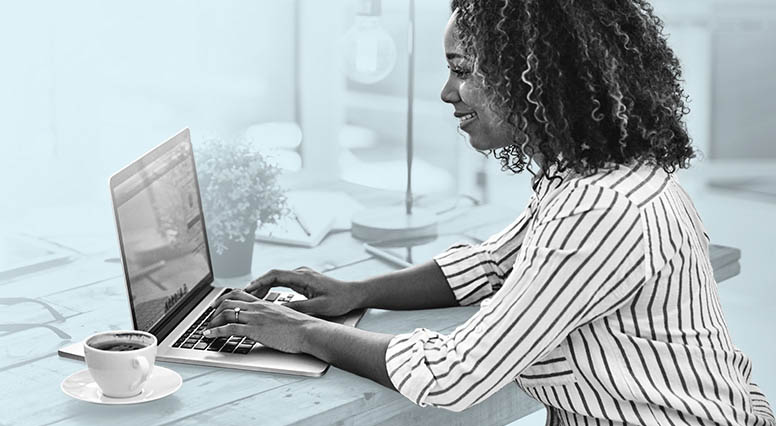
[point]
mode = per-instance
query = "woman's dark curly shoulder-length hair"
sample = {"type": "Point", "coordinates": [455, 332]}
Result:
{"type": "Point", "coordinates": [594, 78]}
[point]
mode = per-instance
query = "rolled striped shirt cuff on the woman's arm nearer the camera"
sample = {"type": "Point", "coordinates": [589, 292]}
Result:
{"type": "Point", "coordinates": [405, 362]}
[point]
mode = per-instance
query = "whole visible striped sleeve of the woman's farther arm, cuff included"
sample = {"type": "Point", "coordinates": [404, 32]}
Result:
{"type": "Point", "coordinates": [474, 272]}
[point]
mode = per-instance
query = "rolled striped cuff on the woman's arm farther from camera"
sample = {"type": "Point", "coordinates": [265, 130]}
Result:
{"type": "Point", "coordinates": [470, 273]}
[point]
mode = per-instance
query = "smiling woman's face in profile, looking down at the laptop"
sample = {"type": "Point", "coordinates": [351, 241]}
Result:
{"type": "Point", "coordinates": [465, 93]}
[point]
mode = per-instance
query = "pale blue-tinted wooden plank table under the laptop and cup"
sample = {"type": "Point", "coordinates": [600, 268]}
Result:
{"type": "Point", "coordinates": [89, 292]}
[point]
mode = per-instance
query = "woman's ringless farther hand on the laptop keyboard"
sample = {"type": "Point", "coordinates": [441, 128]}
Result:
{"type": "Point", "coordinates": [326, 296]}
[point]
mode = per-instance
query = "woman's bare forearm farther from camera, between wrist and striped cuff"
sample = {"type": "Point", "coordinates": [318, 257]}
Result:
{"type": "Point", "coordinates": [418, 287]}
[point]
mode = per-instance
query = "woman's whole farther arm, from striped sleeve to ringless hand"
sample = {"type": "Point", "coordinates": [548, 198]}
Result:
{"type": "Point", "coordinates": [462, 275]}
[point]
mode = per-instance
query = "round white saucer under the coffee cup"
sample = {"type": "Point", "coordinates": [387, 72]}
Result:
{"type": "Point", "coordinates": [160, 383]}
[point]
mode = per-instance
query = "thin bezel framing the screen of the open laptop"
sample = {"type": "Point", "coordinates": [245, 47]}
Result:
{"type": "Point", "coordinates": [169, 320]}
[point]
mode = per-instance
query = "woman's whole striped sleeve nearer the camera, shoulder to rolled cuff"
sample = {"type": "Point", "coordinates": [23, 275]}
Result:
{"type": "Point", "coordinates": [583, 259]}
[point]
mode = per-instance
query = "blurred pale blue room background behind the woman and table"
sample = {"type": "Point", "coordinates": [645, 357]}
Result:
{"type": "Point", "coordinates": [88, 86]}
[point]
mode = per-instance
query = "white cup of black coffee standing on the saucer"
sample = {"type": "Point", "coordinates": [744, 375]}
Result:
{"type": "Point", "coordinates": [120, 361]}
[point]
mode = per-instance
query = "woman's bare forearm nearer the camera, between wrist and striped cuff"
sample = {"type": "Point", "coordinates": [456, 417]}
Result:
{"type": "Point", "coordinates": [359, 351]}
